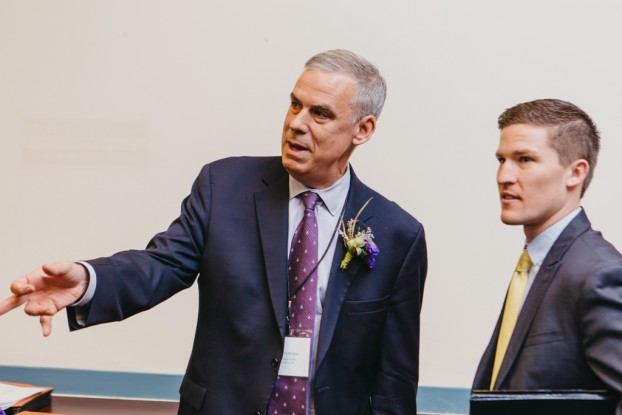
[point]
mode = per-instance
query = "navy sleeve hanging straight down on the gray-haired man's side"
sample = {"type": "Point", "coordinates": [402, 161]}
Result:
{"type": "Point", "coordinates": [396, 385]}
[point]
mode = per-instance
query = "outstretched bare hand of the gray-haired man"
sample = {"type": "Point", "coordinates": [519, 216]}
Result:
{"type": "Point", "coordinates": [47, 290]}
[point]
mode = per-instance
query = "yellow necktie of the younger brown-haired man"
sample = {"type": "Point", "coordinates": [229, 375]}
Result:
{"type": "Point", "coordinates": [513, 302]}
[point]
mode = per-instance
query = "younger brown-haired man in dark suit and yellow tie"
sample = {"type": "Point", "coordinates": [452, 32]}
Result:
{"type": "Point", "coordinates": [561, 326]}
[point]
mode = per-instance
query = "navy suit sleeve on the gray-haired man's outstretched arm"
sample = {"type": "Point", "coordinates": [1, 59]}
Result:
{"type": "Point", "coordinates": [132, 281]}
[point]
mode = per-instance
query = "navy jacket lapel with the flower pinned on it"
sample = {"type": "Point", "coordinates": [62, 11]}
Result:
{"type": "Point", "coordinates": [339, 280]}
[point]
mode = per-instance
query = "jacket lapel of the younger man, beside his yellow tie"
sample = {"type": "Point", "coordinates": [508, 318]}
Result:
{"type": "Point", "coordinates": [541, 283]}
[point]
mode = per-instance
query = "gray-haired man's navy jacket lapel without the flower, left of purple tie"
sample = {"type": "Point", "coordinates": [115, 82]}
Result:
{"type": "Point", "coordinates": [271, 207]}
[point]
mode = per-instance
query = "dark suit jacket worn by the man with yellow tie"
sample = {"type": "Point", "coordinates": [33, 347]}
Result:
{"type": "Point", "coordinates": [569, 332]}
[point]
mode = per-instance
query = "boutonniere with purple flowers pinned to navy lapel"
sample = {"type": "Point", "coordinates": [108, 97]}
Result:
{"type": "Point", "coordinates": [360, 244]}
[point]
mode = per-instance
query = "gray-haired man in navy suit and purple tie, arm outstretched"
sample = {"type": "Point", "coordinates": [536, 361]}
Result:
{"type": "Point", "coordinates": [344, 307]}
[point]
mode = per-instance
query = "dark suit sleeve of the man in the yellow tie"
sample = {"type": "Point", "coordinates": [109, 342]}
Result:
{"type": "Point", "coordinates": [601, 319]}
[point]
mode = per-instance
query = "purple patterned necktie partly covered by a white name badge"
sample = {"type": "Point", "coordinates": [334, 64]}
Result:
{"type": "Point", "coordinates": [290, 393]}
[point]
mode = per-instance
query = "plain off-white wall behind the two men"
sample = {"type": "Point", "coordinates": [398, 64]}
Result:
{"type": "Point", "coordinates": [108, 109]}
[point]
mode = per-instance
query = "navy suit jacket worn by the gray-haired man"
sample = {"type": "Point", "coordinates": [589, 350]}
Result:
{"type": "Point", "coordinates": [232, 233]}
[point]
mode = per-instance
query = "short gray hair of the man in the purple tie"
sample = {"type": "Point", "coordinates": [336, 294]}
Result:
{"type": "Point", "coordinates": [371, 88]}
